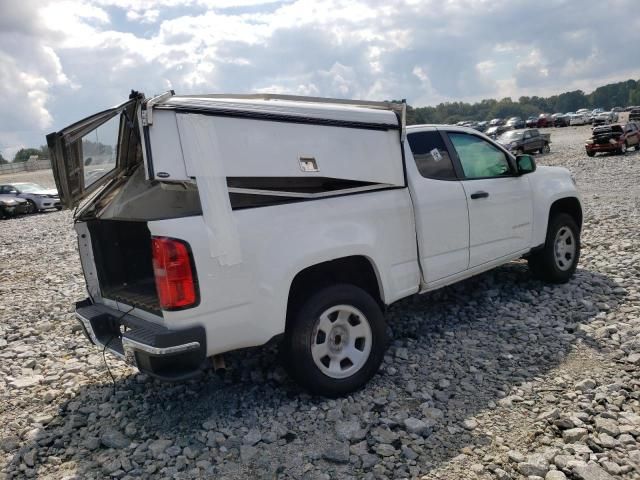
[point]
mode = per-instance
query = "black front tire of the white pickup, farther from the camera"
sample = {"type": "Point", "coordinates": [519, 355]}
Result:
{"type": "Point", "coordinates": [549, 266]}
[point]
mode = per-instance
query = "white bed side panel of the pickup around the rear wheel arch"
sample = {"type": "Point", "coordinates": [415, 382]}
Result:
{"type": "Point", "coordinates": [244, 304]}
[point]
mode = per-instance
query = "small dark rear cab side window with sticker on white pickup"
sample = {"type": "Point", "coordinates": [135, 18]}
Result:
{"type": "Point", "coordinates": [431, 155]}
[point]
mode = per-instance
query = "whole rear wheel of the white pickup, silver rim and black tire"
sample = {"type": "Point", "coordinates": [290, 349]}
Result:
{"type": "Point", "coordinates": [336, 340]}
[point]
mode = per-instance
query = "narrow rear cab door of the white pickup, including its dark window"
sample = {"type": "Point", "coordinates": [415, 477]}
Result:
{"type": "Point", "coordinates": [440, 206]}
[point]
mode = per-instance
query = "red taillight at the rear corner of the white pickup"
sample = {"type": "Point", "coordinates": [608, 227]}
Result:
{"type": "Point", "coordinates": [174, 276]}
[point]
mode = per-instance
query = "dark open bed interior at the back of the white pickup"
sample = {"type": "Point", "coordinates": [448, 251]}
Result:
{"type": "Point", "coordinates": [122, 254]}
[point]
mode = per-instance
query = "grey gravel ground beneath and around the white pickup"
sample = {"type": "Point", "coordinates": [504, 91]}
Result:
{"type": "Point", "coordinates": [499, 376]}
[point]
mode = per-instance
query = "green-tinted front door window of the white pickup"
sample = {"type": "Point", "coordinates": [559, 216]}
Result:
{"type": "Point", "coordinates": [479, 158]}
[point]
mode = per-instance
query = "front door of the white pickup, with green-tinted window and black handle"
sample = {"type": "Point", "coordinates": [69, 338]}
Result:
{"type": "Point", "coordinates": [500, 202]}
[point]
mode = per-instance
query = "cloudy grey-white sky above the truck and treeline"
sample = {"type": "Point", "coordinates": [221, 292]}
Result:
{"type": "Point", "coordinates": [62, 60]}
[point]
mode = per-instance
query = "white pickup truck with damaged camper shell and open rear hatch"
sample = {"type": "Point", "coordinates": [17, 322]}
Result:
{"type": "Point", "coordinates": [213, 223]}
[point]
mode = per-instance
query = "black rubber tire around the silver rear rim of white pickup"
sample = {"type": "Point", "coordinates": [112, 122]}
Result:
{"type": "Point", "coordinates": [305, 329]}
